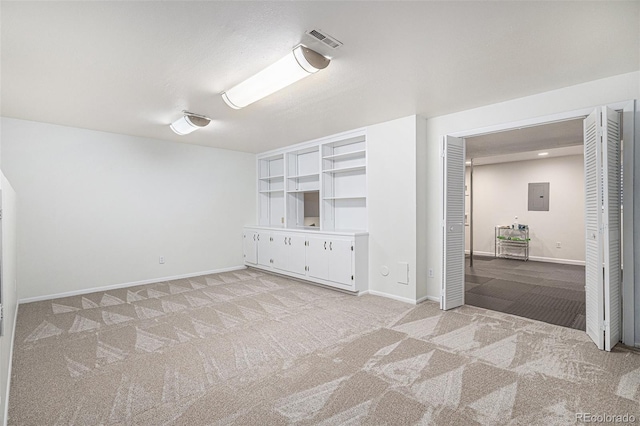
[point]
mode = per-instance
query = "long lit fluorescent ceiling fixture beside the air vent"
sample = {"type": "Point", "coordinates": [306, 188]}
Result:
{"type": "Point", "coordinates": [299, 63]}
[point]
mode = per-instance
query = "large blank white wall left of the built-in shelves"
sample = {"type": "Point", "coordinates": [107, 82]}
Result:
{"type": "Point", "coordinates": [98, 209]}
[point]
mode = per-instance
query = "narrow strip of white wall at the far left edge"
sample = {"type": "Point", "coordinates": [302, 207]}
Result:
{"type": "Point", "coordinates": [9, 295]}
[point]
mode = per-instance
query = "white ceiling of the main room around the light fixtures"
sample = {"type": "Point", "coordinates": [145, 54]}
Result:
{"type": "Point", "coordinates": [131, 67]}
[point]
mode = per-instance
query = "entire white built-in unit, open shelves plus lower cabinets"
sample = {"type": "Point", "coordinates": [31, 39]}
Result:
{"type": "Point", "coordinates": [312, 213]}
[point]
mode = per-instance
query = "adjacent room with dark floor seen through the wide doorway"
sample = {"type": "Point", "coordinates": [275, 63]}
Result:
{"type": "Point", "coordinates": [528, 223]}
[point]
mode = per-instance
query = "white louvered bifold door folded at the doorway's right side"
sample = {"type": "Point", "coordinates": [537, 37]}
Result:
{"type": "Point", "coordinates": [602, 224]}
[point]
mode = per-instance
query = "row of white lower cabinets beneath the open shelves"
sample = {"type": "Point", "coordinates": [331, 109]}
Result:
{"type": "Point", "coordinates": [337, 259]}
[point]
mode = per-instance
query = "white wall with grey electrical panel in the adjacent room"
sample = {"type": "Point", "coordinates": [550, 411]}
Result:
{"type": "Point", "coordinates": [501, 193]}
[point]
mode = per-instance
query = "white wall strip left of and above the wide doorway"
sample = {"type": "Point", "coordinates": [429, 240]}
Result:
{"type": "Point", "coordinates": [591, 94]}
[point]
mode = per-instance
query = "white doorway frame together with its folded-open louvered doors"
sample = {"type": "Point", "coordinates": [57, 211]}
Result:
{"type": "Point", "coordinates": [606, 293]}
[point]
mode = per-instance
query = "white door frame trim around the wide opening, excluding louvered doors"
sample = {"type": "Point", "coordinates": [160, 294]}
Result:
{"type": "Point", "coordinates": [631, 128]}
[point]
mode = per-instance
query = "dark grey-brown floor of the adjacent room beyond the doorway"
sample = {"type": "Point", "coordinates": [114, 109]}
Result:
{"type": "Point", "coordinates": [549, 292]}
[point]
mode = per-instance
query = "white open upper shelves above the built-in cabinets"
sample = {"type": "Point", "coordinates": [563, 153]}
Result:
{"type": "Point", "coordinates": [331, 173]}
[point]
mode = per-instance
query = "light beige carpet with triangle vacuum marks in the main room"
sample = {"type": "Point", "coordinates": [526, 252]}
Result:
{"type": "Point", "coordinates": [249, 348]}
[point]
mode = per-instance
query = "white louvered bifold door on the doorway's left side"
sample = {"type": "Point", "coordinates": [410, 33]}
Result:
{"type": "Point", "coordinates": [453, 235]}
